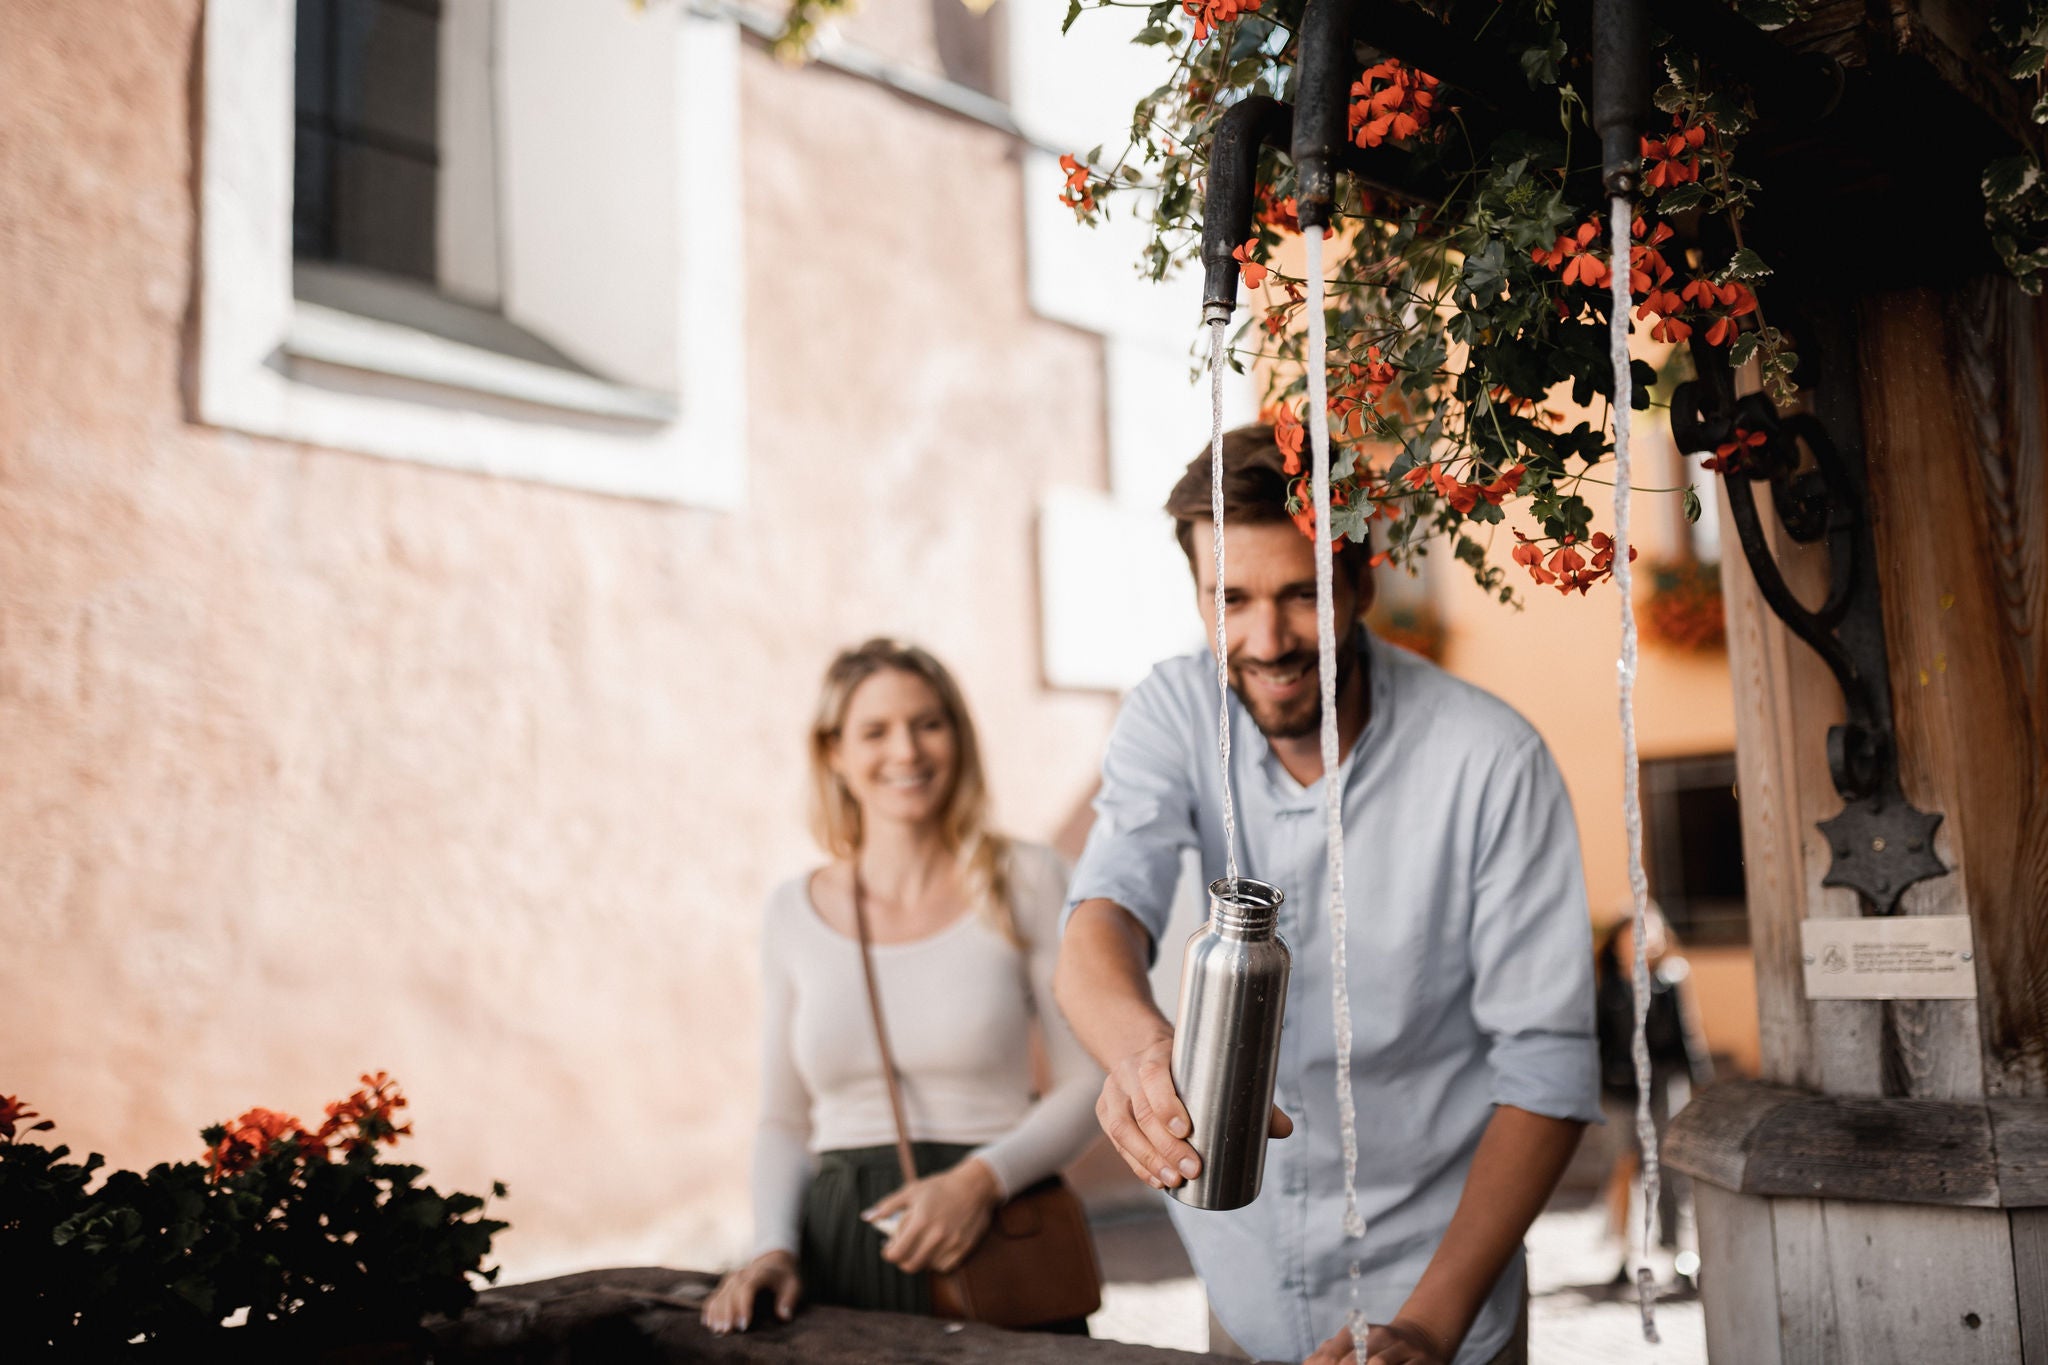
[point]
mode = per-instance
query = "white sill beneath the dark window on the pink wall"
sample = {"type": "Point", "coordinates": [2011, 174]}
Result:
{"type": "Point", "coordinates": [331, 337]}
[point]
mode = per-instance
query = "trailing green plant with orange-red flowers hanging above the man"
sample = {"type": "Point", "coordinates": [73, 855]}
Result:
{"type": "Point", "coordinates": [1471, 292]}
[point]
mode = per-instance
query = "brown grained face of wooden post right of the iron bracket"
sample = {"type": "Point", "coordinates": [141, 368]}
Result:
{"type": "Point", "coordinates": [1957, 425]}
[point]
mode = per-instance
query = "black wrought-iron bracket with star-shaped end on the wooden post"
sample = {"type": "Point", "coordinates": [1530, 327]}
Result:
{"type": "Point", "coordinates": [1881, 842]}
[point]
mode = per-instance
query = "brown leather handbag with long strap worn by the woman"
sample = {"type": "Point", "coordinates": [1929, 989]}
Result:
{"type": "Point", "coordinates": [1037, 1262]}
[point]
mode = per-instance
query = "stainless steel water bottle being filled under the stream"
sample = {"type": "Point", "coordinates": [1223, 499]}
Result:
{"type": "Point", "coordinates": [1228, 1041]}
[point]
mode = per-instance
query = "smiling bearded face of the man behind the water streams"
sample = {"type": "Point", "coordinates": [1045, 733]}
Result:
{"type": "Point", "coordinates": [1269, 619]}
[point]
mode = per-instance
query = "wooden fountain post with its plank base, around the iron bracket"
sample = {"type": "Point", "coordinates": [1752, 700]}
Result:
{"type": "Point", "coordinates": [1887, 1196]}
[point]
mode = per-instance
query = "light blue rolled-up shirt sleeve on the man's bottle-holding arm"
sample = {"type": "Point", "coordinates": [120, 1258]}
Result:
{"type": "Point", "coordinates": [1144, 811]}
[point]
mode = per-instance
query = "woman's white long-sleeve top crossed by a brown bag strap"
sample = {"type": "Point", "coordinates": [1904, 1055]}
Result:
{"type": "Point", "coordinates": [959, 1008]}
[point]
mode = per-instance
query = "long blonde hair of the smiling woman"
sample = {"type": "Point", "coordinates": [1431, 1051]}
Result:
{"type": "Point", "coordinates": [964, 822]}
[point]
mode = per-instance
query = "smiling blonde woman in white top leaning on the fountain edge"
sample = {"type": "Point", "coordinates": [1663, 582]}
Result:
{"type": "Point", "coordinates": [966, 934]}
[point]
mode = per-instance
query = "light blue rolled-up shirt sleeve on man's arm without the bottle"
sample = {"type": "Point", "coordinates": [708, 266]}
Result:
{"type": "Point", "coordinates": [1531, 942]}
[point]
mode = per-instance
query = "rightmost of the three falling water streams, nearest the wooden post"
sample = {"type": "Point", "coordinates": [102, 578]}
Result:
{"type": "Point", "coordinates": [1621, 220]}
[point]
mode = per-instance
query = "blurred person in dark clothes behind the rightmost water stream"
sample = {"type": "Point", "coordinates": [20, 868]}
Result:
{"type": "Point", "coordinates": [1678, 1065]}
